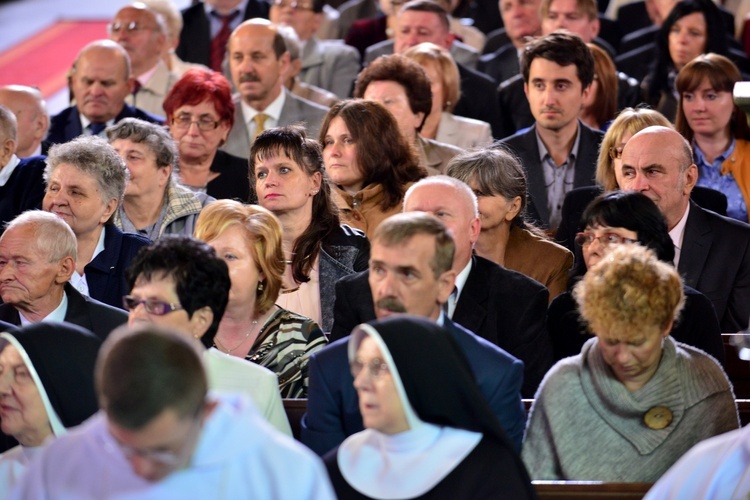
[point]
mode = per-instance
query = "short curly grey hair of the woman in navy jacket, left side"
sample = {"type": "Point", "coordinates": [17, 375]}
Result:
{"type": "Point", "coordinates": [93, 156]}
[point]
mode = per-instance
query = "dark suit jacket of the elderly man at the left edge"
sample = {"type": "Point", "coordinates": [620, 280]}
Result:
{"type": "Point", "coordinates": [82, 311]}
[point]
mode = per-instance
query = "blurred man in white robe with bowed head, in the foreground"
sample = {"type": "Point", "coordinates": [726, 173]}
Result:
{"type": "Point", "coordinates": [160, 434]}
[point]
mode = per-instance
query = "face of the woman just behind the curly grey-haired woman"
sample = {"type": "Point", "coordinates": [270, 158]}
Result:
{"type": "Point", "coordinates": [146, 178]}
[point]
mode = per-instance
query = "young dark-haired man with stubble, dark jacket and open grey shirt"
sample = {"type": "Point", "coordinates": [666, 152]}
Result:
{"type": "Point", "coordinates": [559, 152]}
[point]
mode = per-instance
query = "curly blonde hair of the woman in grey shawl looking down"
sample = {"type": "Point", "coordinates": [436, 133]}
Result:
{"type": "Point", "coordinates": [629, 292]}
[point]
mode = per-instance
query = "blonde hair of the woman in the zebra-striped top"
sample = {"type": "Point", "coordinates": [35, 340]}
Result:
{"type": "Point", "coordinates": [262, 232]}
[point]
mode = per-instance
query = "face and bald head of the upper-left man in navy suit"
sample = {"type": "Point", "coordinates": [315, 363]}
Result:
{"type": "Point", "coordinates": [100, 84]}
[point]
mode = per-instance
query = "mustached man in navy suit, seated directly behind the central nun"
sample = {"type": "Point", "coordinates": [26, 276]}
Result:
{"type": "Point", "coordinates": [410, 272]}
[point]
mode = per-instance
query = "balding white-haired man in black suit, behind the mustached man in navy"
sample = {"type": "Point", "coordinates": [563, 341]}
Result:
{"type": "Point", "coordinates": [501, 306]}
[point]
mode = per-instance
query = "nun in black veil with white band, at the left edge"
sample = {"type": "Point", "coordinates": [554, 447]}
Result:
{"type": "Point", "coordinates": [46, 386]}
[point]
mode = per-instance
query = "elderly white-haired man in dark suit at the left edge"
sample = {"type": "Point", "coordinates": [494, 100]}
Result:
{"type": "Point", "coordinates": [37, 258]}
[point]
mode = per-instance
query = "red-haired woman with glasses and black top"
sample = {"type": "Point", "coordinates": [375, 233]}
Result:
{"type": "Point", "coordinates": [200, 114]}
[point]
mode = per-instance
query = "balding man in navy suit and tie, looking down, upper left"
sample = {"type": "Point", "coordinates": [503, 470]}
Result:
{"type": "Point", "coordinates": [100, 81]}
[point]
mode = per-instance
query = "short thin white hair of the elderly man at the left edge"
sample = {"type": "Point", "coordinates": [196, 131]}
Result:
{"type": "Point", "coordinates": [52, 235]}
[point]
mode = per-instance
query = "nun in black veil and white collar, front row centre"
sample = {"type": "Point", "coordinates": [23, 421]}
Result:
{"type": "Point", "coordinates": [429, 432]}
